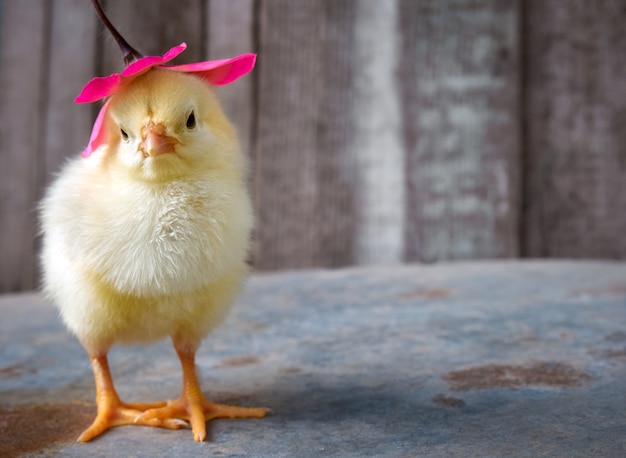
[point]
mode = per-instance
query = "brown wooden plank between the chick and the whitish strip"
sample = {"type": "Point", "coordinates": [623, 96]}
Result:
{"type": "Point", "coordinates": [303, 183]}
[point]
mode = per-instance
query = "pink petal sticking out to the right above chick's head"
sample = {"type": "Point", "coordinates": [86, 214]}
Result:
{"type": "Point", "coordinates": [219, 72]}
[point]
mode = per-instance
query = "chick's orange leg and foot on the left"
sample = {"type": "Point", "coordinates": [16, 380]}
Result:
{"type": "Point", "coordinates": [114, 412]}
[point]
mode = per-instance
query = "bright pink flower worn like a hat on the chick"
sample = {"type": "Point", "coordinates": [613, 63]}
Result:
{"type": "Point", "coordinates": [217, 72]}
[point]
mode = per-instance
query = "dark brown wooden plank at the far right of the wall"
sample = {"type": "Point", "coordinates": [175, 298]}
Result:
{"type": "Point", "coordinates": [576, 141]}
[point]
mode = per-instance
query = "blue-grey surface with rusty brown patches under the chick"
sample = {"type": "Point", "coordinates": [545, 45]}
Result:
{"type": "Point", "coordinates": [467, 359]}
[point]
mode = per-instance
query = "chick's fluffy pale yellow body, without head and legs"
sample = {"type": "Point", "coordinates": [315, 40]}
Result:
{"type": "Point", "coordinates": [139, 262]}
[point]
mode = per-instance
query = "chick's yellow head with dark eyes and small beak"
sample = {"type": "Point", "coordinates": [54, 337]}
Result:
{"type": "Point", "coordinates": [165, 125]}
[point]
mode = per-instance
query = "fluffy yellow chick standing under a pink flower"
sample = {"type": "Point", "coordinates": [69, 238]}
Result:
{"type": "Point", "coordinates": [147, 238]}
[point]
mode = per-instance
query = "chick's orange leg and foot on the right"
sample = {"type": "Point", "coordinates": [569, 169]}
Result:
{"type": "Point", "coordinates": [194, 407]}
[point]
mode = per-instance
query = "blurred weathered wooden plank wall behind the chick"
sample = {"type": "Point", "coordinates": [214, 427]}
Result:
{"type": "Point", "coordinates": [381, 131]}
